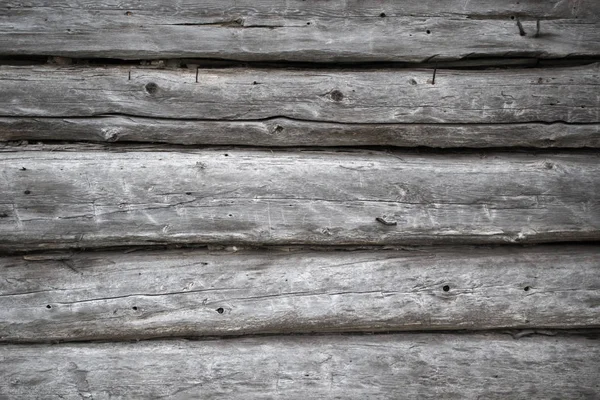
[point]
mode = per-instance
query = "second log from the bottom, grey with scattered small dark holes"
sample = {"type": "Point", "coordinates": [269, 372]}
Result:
{"type": "Point", "coordinates": [157, 294]}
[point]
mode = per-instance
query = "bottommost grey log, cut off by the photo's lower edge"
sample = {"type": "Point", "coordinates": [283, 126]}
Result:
{"type": "Point", "coordinates": [420, 366]}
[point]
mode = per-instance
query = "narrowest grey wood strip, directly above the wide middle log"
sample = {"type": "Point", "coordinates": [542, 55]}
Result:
{"type": "Point", "coordinates": [287, 132]}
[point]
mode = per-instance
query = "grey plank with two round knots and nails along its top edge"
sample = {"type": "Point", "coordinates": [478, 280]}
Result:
{"type": "Point", "coordinates": [382, 96]}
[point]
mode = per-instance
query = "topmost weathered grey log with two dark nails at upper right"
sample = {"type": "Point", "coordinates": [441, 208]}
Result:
{"type": "Point", "coordinates": [299, 31]}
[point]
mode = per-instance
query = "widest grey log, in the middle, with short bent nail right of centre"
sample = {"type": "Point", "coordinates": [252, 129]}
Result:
{"type": "Point", "coordinates": [60, 199]}
